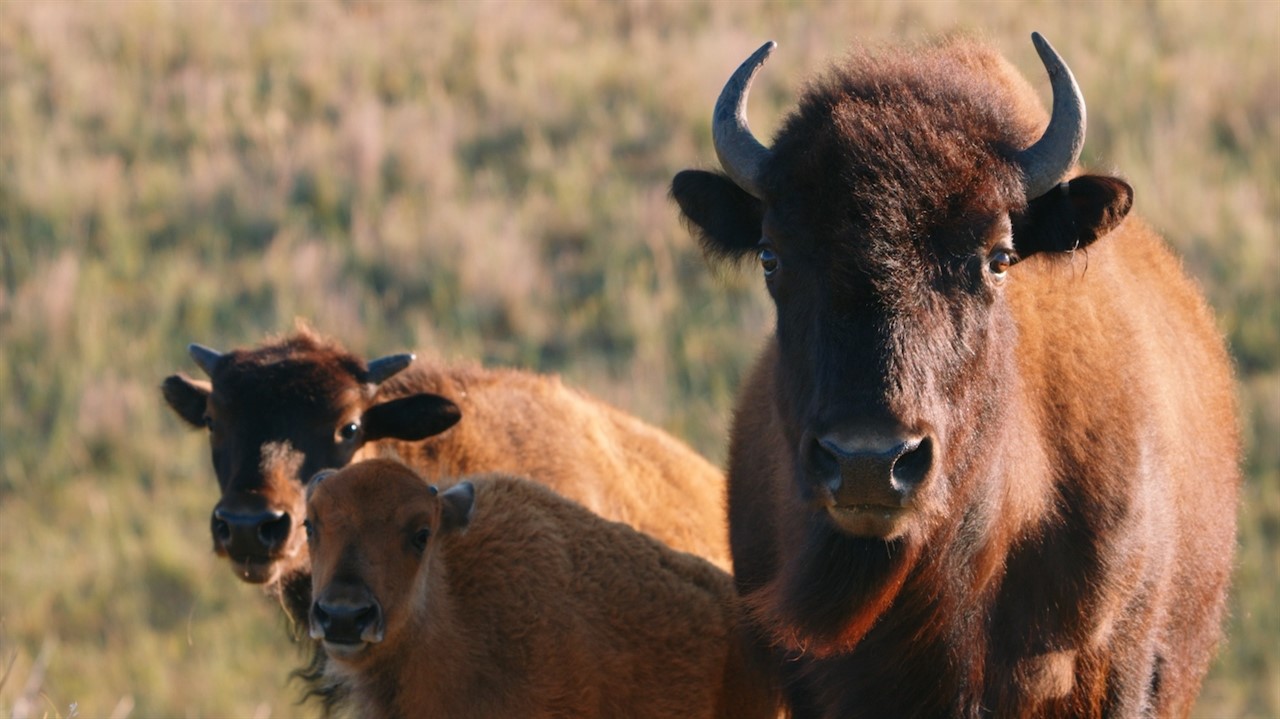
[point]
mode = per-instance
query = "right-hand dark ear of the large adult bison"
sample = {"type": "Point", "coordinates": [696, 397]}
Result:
{"type": "Point", "coordinates": [1073, 216]}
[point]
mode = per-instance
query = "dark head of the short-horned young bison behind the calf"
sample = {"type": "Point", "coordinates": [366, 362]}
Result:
{"type": "Point", "coordinates": [276, 416]}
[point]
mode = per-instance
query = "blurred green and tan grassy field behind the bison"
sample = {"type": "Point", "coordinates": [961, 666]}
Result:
{"type": "Point", "coordinates": [488, 181]}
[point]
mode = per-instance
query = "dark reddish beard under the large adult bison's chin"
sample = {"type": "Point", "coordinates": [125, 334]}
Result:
{"type": "Point", "coordinates": [830, 593]}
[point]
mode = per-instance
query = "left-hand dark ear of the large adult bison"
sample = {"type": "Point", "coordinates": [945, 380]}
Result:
{"type": "Point", "coordinates": [723, 216]}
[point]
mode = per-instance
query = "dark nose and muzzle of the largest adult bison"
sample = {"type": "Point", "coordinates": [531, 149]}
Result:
{"type": "Point", "coordinates": [867, 469]}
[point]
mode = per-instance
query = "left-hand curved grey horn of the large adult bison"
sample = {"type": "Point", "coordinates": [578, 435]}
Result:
{"type": "Point", "coordinates": [740, 154]}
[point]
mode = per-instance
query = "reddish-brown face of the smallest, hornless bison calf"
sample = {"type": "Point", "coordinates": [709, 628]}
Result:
{"type": "Point", "coordinates": [373, 529]}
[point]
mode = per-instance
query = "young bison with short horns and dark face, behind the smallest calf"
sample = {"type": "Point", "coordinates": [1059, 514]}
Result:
{"type": "Point", "coordinates": [281, 413]}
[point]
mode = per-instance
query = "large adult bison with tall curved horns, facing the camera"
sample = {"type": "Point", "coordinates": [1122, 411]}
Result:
{"type": "Point", "coordinates": [988, 464]}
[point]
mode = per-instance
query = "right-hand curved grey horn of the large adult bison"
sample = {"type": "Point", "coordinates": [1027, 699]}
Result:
{"type": "Point", "coordinates": [1048, 162]}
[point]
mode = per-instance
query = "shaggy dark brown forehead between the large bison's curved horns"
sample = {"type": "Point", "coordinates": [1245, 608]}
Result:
{"type": "Point", "coordinates": [903, 148]}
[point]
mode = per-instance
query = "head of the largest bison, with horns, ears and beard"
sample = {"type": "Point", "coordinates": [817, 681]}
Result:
{"type": "Point", "coordinates": [889, 218]}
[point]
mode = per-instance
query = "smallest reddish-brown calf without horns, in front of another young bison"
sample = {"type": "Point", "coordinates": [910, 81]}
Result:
{"type": "Point", "coordinates": [499, 598]}
